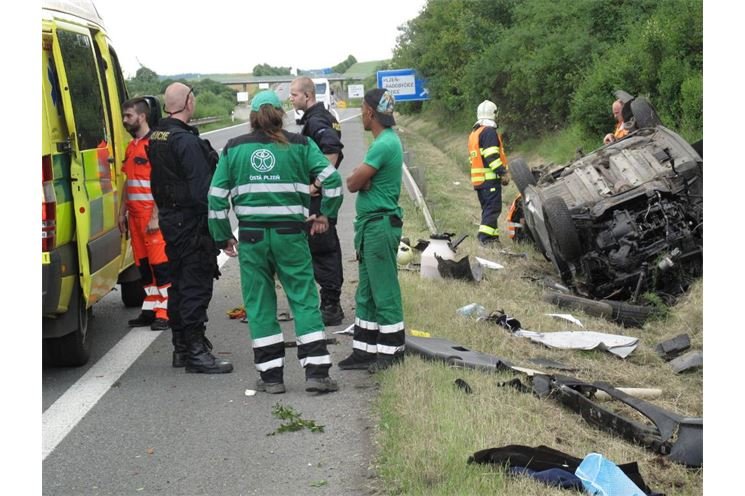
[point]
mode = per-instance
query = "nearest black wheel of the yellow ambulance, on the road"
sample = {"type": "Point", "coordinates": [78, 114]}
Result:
{"type": "Point", "coordinates": [73, 349]}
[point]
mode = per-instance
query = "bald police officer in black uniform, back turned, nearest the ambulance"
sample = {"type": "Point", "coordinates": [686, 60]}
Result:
{"type": "Point", "coordinates": [182, 168]}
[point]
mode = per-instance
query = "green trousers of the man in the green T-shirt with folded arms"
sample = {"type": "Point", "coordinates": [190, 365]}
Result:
{"type": "Point", "coordinates": [378, 323]}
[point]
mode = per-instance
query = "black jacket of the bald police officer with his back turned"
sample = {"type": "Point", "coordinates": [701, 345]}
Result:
{"type": "Point", "coordinates": [182, 169]}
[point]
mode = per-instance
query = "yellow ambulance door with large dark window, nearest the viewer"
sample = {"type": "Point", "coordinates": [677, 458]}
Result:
{"type": "Point", "coordinates": [94, 196]}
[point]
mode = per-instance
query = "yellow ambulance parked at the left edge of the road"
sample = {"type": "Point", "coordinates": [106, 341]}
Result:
{"type": "Point", "coordinates": [84, 255]}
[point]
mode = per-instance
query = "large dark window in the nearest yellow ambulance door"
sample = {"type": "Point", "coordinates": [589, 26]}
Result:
{"type": "Point", "coordinates": [85, 90]}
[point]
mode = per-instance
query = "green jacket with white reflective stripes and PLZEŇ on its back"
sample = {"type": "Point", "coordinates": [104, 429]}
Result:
{"type": "Point", "coordinates": [268, 181]}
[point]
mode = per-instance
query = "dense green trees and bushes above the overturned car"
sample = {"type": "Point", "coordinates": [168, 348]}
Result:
{"type": "Point", "coordinates": [551, 64]}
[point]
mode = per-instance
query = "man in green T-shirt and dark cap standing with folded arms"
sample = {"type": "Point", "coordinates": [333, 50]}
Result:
{"type": "Point", "coordinates": [379, 337]}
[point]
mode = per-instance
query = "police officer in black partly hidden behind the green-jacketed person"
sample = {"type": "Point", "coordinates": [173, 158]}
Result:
{"type": "Point", "coordinates": [323, 128]}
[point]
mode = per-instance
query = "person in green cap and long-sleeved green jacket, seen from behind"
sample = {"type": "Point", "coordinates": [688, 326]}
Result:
{"type": "Point", "coordinates": [265, 175]}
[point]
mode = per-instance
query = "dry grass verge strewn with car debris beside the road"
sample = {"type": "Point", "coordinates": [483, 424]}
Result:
{"type": "Point", "coordinates": [428, 428]}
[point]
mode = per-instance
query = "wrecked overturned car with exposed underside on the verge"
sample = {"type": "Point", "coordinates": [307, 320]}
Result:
{"type": "Point", "coordinates": [625, 219]}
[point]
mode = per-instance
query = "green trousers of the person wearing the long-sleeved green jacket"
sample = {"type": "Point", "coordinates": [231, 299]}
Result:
{"type": "Point", "coordinates": [264, 252]}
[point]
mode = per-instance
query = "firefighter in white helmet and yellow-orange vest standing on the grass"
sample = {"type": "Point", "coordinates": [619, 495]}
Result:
{"type": "Point", "coordinates": [488, 170]}
